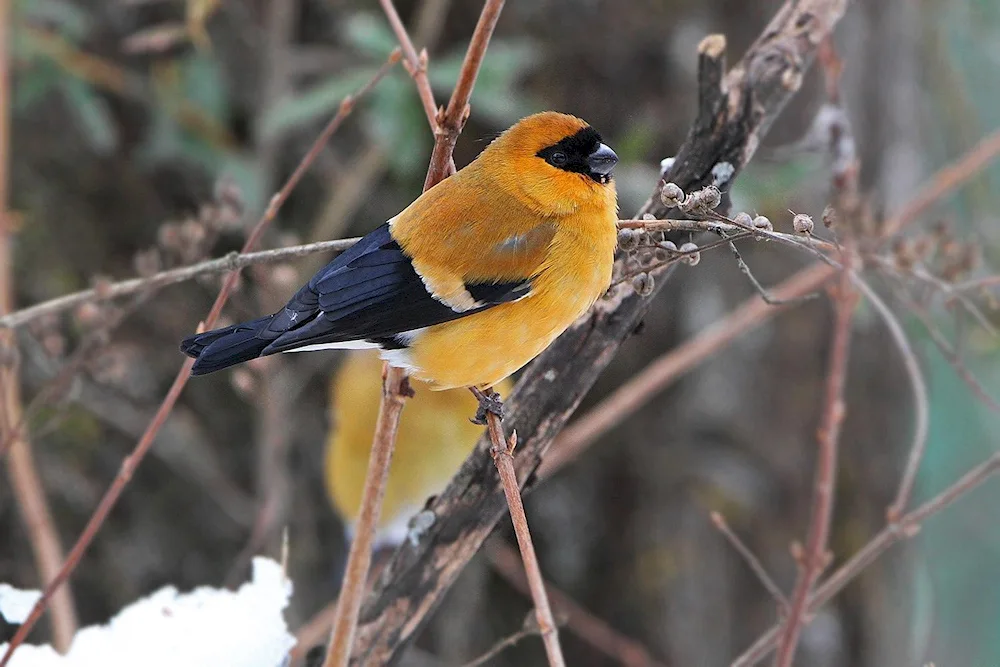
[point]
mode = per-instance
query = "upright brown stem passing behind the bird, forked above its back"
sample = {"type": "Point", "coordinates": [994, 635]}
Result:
{"type": "Point", "coordinates": [395, 387]}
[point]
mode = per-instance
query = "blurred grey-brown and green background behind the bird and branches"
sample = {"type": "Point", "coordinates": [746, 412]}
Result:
{"type": "Point", "coordinates": [135, 119]}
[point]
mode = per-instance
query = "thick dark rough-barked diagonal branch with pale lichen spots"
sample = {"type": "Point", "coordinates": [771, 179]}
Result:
{"type": "Point", "coordinates": [731, 123]}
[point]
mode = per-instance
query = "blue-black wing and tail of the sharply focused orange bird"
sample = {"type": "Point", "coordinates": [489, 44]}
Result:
{"type": "Point", "coordinates": [371, 292]}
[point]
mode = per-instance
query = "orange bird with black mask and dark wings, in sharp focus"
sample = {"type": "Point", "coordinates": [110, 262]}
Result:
{"type": "Point", "coordinates": [473, 279]}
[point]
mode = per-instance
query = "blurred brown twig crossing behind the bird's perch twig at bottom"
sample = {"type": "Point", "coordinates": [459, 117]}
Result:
{"type": "Point", "coordinates": [578, 620]}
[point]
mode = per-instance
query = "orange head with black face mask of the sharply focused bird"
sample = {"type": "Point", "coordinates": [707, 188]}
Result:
{"type": "Point", "coordinates": [556, 160]}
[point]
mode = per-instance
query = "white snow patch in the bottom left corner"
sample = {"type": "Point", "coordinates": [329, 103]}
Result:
{"type": "Point", "coordinates": [207, 627]}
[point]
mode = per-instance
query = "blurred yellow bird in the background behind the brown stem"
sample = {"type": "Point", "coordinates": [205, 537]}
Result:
{"type": "Point", "coordinates": [435, 435]}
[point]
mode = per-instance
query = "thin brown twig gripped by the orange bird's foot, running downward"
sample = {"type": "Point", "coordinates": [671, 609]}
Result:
{"type": "Point", "coordinates": [503, 457]}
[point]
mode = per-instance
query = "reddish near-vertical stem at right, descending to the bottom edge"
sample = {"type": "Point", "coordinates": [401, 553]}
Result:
{"type": "Point", "coordinates": [815, 557]}
